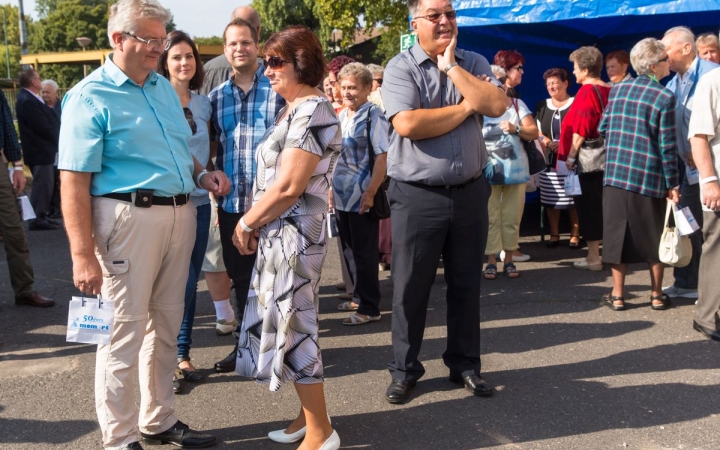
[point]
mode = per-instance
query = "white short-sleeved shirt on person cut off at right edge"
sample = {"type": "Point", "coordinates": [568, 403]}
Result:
{"type": "Point", "coordinates": [705, 119]}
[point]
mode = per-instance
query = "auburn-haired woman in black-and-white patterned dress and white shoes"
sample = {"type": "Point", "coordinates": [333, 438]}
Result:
{"type": "Point", "coordinates": [286, 226]}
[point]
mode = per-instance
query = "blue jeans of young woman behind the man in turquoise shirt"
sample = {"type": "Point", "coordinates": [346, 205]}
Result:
{"type": "Point", "coordinates": [196, 260]}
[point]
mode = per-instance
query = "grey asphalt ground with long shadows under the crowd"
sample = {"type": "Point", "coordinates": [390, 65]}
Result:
{"type": "Point", "coordinates": [569, 373]}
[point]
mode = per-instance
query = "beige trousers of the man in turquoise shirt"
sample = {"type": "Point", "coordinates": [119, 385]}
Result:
{"type": "Point", "coordinates": [144, 254]}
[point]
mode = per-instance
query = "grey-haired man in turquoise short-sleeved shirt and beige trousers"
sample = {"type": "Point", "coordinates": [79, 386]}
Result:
{"type": "Point", "coordinates": [126, 176]}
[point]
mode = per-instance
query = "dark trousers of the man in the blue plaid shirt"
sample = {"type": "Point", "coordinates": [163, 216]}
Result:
{"type": "Point", "coordinates": [239, 267]}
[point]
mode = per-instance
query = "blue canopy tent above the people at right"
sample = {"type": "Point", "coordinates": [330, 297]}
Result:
{"type": "Point", "coordinates": [546, 32]}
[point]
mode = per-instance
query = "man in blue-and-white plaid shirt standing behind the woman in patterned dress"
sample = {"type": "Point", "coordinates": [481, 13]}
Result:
{"type": "Point", "coordinates": [242, 109]}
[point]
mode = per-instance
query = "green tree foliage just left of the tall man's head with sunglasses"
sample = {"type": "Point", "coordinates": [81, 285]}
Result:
{"type": "Point", "coordinates": [349, 16]}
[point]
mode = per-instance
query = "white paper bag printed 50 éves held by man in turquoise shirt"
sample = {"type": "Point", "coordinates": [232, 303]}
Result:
{"type": "Point", "coordinates": [90, 320]}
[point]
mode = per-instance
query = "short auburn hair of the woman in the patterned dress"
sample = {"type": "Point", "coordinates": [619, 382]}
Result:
{"type": "Point", "coordinates": [300, 45]}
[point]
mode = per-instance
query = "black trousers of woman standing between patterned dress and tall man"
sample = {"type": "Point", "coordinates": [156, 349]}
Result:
{"type": "Point", "coordinates": [359, 233]}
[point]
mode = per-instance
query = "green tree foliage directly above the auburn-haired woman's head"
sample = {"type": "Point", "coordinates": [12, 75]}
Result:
{"type": "Point", "coordinates": [276, 15]}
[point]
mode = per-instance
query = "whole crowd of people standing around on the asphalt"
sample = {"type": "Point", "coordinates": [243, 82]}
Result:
{"type": "Point", "coordinates": [236, 168]}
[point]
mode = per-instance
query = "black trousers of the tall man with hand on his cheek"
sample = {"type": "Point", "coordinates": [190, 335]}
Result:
{"type": "Point", "coordinates": [428, 223]}
